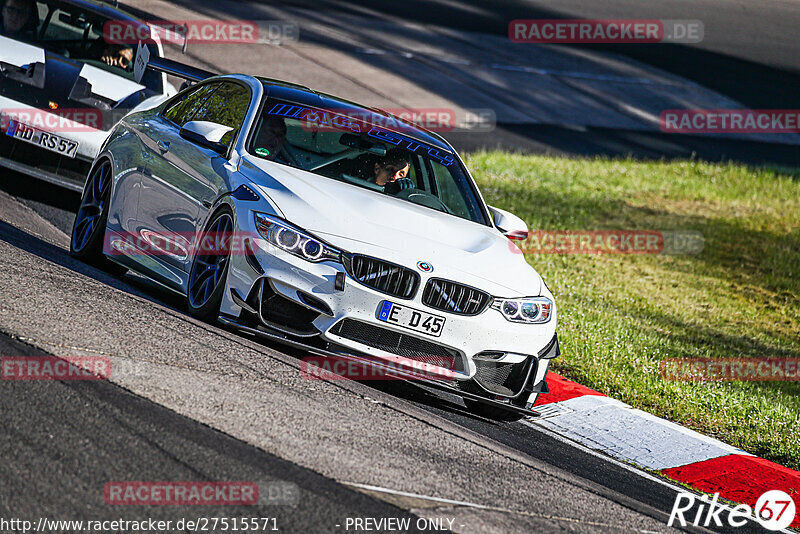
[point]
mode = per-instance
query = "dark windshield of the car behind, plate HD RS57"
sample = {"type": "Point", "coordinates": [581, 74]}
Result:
{"type": "Point", "coordinates": [75, 33]}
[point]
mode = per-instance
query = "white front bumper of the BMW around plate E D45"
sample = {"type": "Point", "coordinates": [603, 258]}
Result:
{"type": "Point", "coordinates": [301, 299]}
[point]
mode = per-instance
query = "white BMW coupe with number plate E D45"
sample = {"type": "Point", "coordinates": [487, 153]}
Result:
{"type": "Point", "coordinates": [345, 231]}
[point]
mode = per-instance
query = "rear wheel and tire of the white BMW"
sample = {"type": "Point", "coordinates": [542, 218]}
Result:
{"type": "Point", "coordinates": [89, 227]}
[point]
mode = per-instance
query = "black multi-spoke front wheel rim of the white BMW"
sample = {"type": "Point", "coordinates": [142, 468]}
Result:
{"type": "Point", "coordinates": [210, 261]}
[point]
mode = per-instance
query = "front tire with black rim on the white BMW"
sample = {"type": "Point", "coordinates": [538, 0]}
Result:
{"type": "Point", "coordinates": [209, 271]}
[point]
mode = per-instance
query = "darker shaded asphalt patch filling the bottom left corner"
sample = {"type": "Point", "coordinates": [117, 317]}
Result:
{"type": "Point", "coordinates": [79, 435]}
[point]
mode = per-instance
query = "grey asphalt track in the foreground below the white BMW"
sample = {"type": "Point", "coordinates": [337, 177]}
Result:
{"type": "Point", "coordinates": [153, 424]}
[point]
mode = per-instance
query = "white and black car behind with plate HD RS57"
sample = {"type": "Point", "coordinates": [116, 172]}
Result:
{"type": "Point", "coordinates": [63, 86]}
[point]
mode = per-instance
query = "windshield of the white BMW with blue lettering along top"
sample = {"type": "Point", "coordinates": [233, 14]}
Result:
{"type": "Point", "coordinates": [346, 146]}
